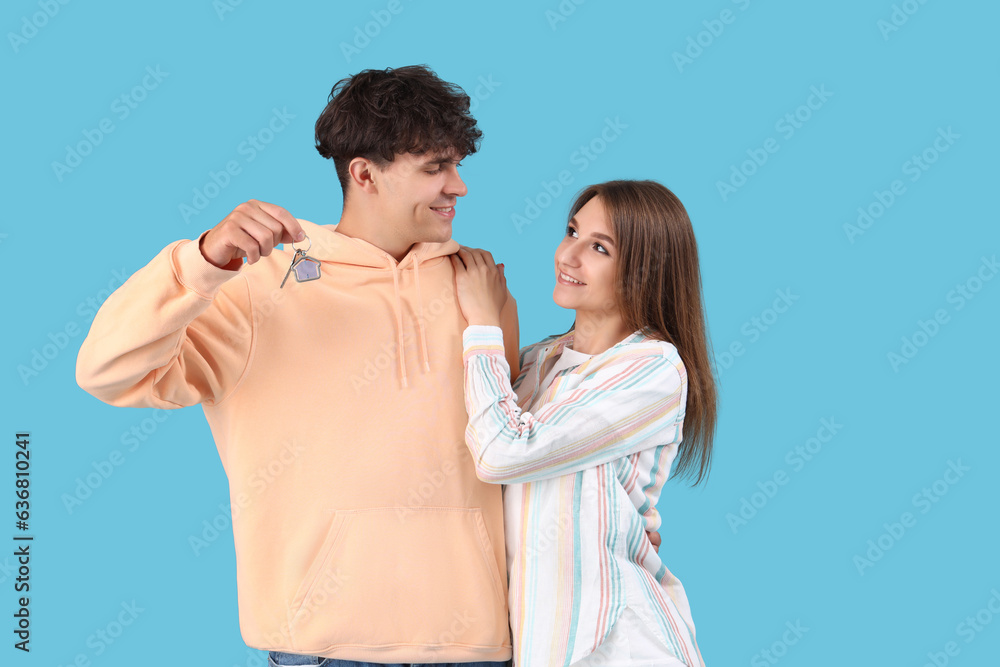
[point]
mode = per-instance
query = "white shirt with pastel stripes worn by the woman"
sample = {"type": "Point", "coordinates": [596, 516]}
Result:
{"type": "Point", "coordinates": [583, 461]}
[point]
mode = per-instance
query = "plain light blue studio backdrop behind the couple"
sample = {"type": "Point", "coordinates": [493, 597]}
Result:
{"type": "Point", "coordinates": [555, 79]}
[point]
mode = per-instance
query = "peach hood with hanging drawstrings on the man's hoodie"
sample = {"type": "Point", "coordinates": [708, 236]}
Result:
{"type": "Point", "coordinates": [329, 245]}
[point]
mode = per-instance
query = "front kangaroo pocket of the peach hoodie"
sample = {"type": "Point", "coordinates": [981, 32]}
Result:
{"type": "Point", "coordinates": [391, 576]}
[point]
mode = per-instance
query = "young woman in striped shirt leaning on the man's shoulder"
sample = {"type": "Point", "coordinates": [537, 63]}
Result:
{"type": "Point", "coordinates": [585, 437]}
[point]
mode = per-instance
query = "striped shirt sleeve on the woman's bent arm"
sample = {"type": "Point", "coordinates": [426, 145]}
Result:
{"type": "Point", "coordinates": [631, 403]}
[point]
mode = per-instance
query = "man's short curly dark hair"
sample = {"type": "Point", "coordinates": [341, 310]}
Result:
{"type": "Point", "coordinates": [378, 114]}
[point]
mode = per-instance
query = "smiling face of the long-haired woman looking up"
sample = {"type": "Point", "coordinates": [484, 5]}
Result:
{"type": "Point", "coordinates": [585, 262]}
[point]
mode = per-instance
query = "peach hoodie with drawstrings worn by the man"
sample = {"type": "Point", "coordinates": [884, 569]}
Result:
{"type": "Point", "coordinates": [361, 529]}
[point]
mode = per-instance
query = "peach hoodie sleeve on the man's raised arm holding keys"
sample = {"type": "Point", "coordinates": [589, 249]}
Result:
{"type": "Point", "coordinates": [177, 333]}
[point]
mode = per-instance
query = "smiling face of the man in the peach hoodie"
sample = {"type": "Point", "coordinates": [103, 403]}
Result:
{"type": "Point", "coordinates": [417, 195]}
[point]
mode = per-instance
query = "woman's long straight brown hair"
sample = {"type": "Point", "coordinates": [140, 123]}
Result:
{"type": "Point", "coordinates": [658, 287]}
